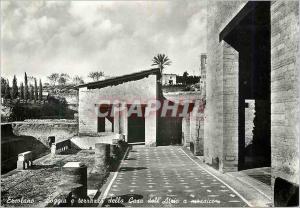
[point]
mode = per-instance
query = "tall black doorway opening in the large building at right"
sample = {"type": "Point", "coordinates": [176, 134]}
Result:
{"type": "Point", "coordinates": [249, 34]}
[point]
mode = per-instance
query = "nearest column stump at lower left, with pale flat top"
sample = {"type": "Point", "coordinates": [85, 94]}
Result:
{"type": "Point", "coordinates": [74, 179]}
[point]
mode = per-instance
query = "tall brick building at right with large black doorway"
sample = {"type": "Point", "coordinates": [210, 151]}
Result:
{"type": "Point", "coordinates": [252, 88]}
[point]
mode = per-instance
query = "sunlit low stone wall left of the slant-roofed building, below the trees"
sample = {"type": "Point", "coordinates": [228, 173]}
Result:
{"type": "Point", "coordinates": [42, 129]}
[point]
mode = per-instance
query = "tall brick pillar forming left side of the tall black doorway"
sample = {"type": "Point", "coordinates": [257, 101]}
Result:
{"type": "Point", "coordinates": [229, 159]}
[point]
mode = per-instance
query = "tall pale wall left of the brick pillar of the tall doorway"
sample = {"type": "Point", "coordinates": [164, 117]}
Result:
{"type": "Point", "coordinates": [219, 15]}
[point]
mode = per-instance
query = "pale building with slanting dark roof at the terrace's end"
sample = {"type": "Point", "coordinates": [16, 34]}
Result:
{"type": "Point", "coordinates": [140, 87]}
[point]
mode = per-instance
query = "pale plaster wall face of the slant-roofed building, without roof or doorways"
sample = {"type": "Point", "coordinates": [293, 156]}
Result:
{"type": "Point", "coordinates": [139, 90]}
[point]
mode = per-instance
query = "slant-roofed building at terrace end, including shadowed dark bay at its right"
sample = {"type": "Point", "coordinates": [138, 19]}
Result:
{"type": "Point", "coordinates": [117, 97]}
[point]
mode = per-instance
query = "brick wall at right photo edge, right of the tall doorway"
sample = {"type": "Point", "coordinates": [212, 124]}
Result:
{"type": "Point", "coordinates": [285, 90]}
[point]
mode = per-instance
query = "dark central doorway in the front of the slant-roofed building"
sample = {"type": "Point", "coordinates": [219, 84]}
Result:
{"type": "Point", "coordinates": [136, 127]}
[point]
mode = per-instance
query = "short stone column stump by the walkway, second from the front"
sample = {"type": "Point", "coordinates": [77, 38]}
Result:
{"type": "Point", "coordinates": [102, 156]}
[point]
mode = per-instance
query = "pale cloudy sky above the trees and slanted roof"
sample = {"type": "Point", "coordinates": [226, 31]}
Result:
{"type": "Point", "coordinates": [120, 37]}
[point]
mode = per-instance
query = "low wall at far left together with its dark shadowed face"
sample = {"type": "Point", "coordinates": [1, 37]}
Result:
{"type": "Point", "coordinates": [32, 135]}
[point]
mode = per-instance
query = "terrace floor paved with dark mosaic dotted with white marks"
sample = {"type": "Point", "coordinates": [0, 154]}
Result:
{"type": "Point", "coordinates": [167, 176]}
